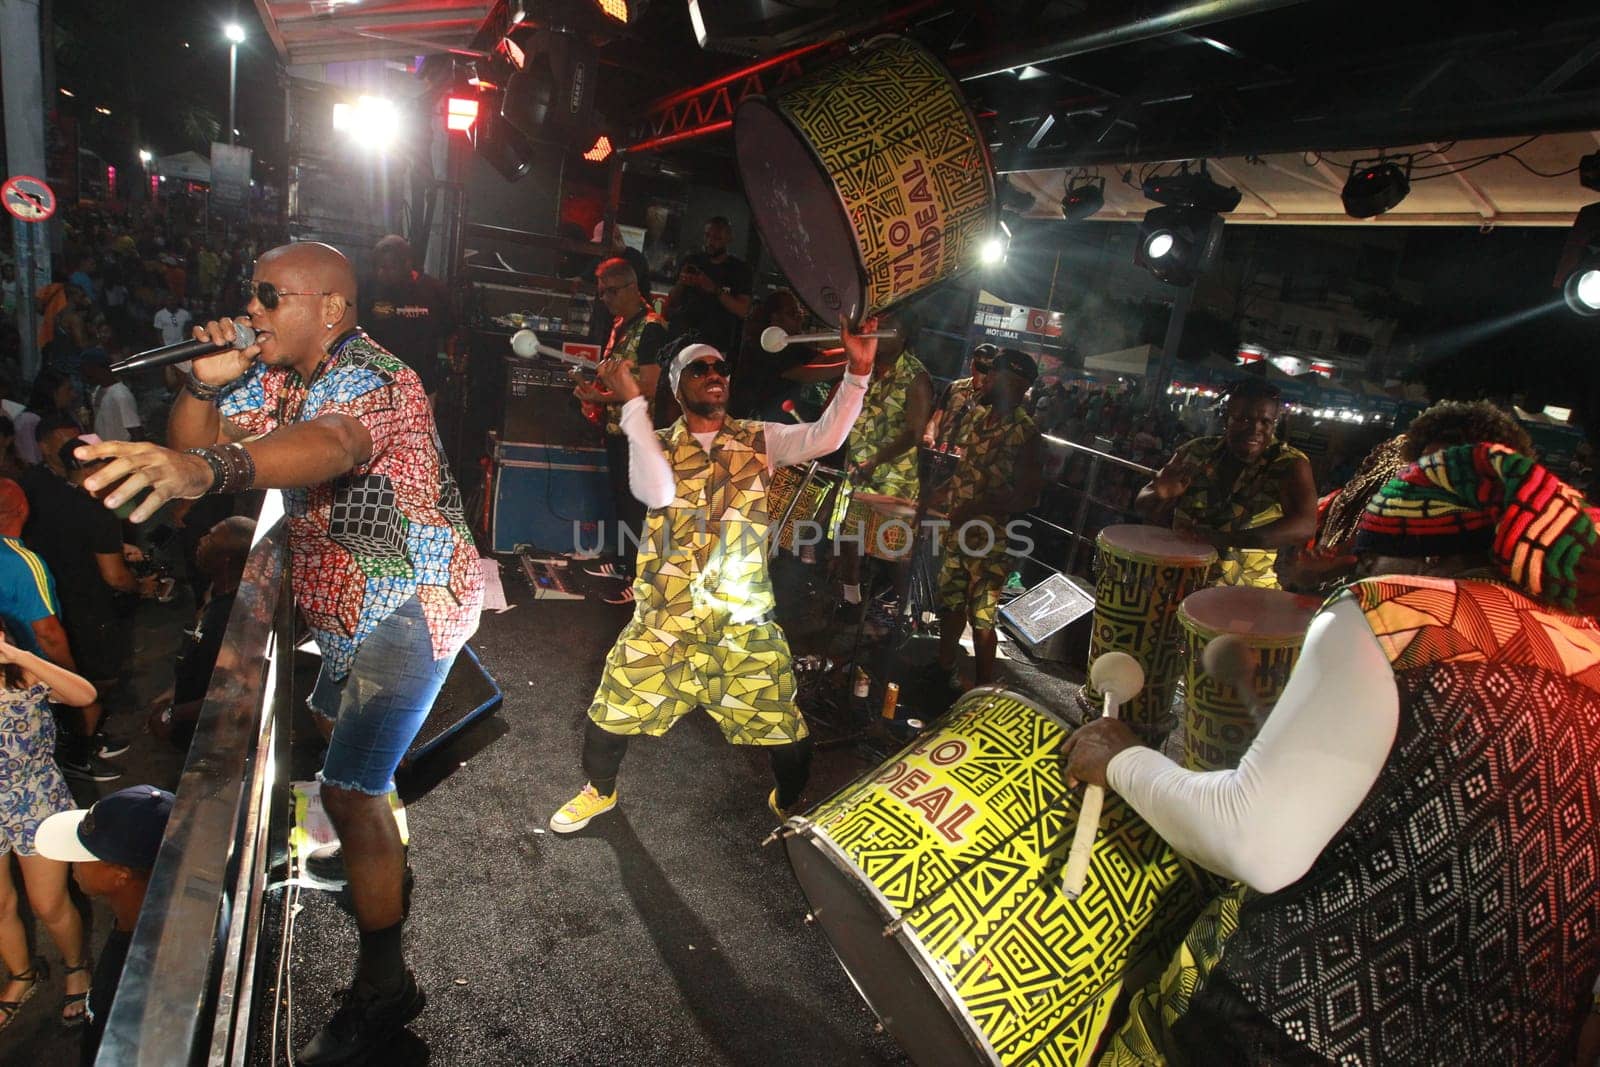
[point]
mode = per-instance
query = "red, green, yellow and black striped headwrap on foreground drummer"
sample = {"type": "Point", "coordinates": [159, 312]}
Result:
{"type": "Point", "coordinates": [1470, 498]}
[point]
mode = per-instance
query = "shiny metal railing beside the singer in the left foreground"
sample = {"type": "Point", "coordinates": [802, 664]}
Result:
{"type": "Point", "coordinates": [188, 989]}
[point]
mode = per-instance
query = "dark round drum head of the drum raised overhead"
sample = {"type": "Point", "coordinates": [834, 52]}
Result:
{"type": "Point", "coordinates": [799, 212]}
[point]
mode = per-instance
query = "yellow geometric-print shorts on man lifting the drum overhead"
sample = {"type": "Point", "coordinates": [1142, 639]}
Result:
{"type": "Point", "coordinates": [743, 679]}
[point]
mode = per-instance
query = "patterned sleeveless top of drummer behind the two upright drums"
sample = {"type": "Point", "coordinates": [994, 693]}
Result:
{"type": "Point", "coordinates": [1254, 502]}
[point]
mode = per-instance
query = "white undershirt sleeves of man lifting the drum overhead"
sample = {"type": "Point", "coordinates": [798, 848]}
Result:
{"type": "Point", "coordinates": [650, 471]}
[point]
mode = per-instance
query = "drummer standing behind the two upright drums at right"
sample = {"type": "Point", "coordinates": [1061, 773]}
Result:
{"type": "Point", "coordinates": [1246, 494]}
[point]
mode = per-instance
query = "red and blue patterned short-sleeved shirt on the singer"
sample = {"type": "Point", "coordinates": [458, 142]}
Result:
{"type": "Point", "coordinates": [386, 532]}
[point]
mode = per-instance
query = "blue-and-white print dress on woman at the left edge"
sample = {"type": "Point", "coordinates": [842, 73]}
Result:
{"type": "Point", "coordinates": [31, 786]}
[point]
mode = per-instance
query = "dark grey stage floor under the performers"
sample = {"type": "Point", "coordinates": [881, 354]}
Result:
{"type": "Point", "coordinates": [662, 935]}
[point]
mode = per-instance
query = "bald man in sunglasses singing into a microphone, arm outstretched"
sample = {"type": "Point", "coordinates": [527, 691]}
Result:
{"type": "Point", "coordinates": [302, 399]}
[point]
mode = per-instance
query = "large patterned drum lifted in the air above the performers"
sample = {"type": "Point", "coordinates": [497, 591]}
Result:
{"type": "Point", "coordinates": [870, 180]}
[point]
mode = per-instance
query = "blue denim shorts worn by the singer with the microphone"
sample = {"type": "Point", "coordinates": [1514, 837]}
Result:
{"type": "Point", "coordinates": [382, 705]}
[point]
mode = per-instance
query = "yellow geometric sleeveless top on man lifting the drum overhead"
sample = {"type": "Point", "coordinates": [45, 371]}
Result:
{"type": "Point", "coordinates": [703, 559]}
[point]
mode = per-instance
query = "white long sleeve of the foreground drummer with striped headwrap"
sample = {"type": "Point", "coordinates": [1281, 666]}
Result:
{"type": "Point", "coordinates": [1308, 772]}
